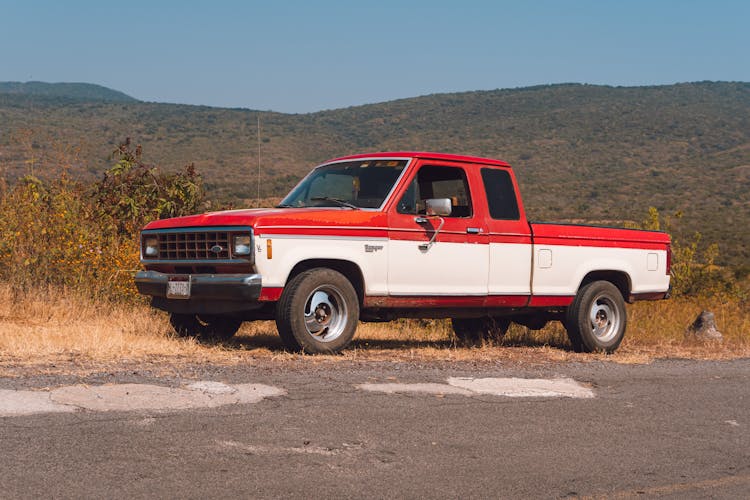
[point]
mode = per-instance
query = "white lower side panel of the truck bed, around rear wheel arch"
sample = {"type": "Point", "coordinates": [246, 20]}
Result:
{"type": "Point", "coordinates": [559, 270]}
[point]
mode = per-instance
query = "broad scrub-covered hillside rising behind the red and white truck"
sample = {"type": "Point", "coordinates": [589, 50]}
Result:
{"type": "Point", "coordinates": [584, 152]}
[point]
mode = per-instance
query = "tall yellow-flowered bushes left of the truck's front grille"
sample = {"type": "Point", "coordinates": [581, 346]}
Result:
{"type": "Point", "coordinates": [82, 237]}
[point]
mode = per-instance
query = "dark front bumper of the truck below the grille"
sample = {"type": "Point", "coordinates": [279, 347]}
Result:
{"type": "Point", "coordinates": [203, 287]}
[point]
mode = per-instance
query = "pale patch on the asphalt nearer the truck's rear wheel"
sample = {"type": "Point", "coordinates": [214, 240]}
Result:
{"type": "Point", "coordinates": [509, 387]}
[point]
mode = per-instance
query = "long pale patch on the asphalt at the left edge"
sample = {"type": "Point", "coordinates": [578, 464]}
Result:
{"type": "Point", "coordinates": [129, 397]}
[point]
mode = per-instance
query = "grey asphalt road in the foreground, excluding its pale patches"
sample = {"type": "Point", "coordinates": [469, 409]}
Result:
{"type": "Point", "coordinates": [674, 429]}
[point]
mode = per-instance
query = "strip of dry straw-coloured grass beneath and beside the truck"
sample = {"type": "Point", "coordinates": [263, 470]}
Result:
{"type": "Point", "coordinates": [49, 326]}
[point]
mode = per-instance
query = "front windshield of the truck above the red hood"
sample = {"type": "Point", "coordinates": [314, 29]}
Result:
{"type": "Point", "coordinates": [353, 184]}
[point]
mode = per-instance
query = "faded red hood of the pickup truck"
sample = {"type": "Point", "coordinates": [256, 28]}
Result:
{"type": "Point", "coordinates": [268, 219]}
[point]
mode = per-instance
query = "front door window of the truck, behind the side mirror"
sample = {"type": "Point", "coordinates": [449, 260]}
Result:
{"type": "Point", "coordinates": [437, 182]}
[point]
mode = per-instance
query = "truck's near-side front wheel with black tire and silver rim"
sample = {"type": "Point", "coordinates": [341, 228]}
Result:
{"type": "Point", "coordinates": [318, 312]}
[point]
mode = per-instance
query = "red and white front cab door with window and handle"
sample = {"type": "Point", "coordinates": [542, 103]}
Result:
{"type": "Point", "coordinates": [438, 256]}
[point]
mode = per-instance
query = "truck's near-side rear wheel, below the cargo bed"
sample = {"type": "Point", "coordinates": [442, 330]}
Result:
{"type": "Point", "coordinates": [597, 319]}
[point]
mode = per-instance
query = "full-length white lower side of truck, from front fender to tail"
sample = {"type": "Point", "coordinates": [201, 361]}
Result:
{"type": "Point", "coordinates": [401, 268]}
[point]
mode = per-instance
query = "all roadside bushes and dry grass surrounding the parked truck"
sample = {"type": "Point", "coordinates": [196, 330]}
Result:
{"type": "Point", "coordinates": [69, 249]}
